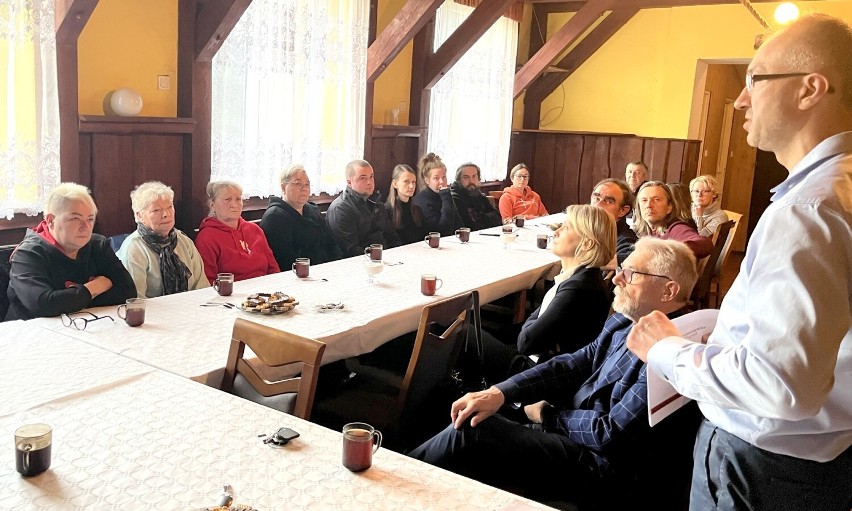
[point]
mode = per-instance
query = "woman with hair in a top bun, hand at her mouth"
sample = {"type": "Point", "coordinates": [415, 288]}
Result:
{"type": "Point", "coordinates": [435, 199]}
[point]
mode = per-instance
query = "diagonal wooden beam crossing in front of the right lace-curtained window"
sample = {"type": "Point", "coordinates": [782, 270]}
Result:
{"type": "Point", "coordinates": [463, 38]}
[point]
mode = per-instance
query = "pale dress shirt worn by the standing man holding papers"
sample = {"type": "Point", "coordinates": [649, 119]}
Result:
{"type": "Point", "coordinates": [777, 370]}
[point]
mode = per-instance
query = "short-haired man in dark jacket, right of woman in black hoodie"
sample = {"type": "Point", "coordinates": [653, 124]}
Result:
{"type": "Point", "coordinates": [357, 216]}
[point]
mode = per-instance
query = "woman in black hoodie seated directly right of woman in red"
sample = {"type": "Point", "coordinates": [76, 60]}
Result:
{"type": "Point", "coordinates": [295, 227]}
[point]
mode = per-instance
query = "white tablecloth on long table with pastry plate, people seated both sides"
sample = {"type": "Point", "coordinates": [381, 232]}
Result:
{"type": "Point", "coordinates": [182, 337]}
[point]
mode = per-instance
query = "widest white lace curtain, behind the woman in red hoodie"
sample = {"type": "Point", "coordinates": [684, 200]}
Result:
{"type": "Point", "coordinates": [289, 86]}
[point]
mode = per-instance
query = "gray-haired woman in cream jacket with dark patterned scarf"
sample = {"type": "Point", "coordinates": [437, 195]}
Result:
{"type": "Point", "coordinates": [161, 259]}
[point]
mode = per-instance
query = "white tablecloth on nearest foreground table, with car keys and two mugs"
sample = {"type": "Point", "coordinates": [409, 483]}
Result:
{"type": "Point", "coordinates": [159, 441]}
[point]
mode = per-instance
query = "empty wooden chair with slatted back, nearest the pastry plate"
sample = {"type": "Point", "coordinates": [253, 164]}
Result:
{"type": "Point", "coordinates": [274, 349]}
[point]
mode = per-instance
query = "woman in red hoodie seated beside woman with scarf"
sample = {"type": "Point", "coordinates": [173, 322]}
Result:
{"type": "Point", "coordinates": [226, 242]}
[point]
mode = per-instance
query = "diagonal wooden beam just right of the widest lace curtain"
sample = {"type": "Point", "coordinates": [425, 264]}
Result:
{"type": "Point", "coordinates": [402, 28]}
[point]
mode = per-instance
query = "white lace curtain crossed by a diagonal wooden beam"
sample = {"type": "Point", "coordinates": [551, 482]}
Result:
{"type": "Point", "coordinates": [471, 109]}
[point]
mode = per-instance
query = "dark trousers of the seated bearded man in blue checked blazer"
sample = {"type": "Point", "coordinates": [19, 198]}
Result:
{"type": "Point", "coordinates": [514, 457]}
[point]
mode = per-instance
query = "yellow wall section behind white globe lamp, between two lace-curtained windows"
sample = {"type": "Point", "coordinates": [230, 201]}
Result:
{"type": "Point", "coordinates": [127, 43]}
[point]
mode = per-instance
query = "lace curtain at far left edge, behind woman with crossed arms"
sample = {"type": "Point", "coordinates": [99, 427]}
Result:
{"type": "Point", "coordinates": [29, 124]}
